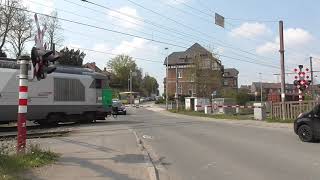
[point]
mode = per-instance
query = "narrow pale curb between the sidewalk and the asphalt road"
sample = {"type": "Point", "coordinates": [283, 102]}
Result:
{"type": "Point", "coordinates": [151, 168]}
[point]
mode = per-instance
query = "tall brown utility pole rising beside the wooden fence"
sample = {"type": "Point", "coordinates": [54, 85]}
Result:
{"type": "Point", "coordinates": [283, 84]}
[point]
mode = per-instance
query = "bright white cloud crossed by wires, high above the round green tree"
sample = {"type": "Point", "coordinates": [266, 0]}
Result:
{"type": "Point", "coordinates": [129, 21]}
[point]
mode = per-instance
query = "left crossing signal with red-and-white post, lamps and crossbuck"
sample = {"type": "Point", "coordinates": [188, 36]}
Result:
{"type": "Point", "coordinates": [43, 63]}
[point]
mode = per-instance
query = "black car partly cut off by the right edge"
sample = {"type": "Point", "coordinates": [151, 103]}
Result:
{"type": "Point", "coordinates": [307, 125]}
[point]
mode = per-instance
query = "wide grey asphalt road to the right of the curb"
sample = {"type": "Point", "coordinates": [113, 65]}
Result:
{"type": "Point", "coordinates": [190, 148]}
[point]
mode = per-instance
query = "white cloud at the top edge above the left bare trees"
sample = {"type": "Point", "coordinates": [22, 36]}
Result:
{"type": "Point", "coordinates": [41, 6]}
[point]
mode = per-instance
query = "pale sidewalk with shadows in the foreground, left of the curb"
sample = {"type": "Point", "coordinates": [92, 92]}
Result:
{"type": "Point", "coordinates": [98, 152]}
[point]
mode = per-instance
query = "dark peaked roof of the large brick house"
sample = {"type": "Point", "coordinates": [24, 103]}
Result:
{"type": "Point", "coordinates": [185, 57]}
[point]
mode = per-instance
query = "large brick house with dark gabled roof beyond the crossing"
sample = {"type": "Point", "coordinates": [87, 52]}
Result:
{"type": "Point", "coordinates": [197, 71]}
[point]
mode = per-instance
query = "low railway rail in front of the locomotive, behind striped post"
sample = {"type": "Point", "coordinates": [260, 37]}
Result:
{"type": "Point", "coordinates": [39, 134]}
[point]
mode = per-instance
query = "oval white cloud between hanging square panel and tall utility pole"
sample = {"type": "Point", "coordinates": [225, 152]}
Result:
{"type": "Point", "coordinates": [250, 30]}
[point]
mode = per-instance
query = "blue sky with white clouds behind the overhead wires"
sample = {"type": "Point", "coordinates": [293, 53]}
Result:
{"type": "Point", "coordinates": [252, 38]}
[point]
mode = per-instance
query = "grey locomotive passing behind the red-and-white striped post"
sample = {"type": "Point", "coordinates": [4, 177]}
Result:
{"type": "Point", "coordinates": [68, 94]}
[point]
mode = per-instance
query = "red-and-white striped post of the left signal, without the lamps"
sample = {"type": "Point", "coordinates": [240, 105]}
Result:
{"type": "Point", "coordinates": [23, 103]}
